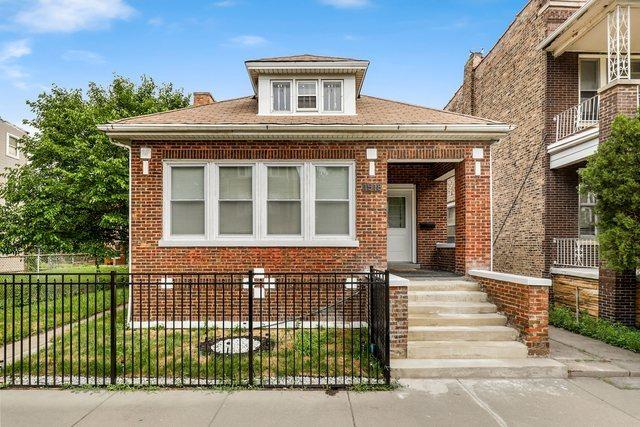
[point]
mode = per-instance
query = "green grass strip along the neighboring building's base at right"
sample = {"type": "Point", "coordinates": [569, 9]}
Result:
{"type": "Point", "coordinates": [612, 333]}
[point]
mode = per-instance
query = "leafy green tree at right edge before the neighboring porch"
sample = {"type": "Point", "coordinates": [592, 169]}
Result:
{"type": "Point", "coordinates": [613, 175]}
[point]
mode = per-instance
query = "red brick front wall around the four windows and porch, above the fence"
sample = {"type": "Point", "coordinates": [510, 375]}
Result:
{"type": "Point", "coordinates": [371, 216]}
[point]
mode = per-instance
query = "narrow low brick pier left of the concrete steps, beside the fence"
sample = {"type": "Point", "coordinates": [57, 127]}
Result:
{"type": "Point", "coordinates": [399, 318]}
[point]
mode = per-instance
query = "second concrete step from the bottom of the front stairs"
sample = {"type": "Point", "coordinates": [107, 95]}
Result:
{"type": "Point", "coordinates": [451, 349]}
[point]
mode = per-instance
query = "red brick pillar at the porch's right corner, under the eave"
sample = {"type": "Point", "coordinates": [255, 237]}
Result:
{"type": "Point", "coordinates": [473, 211]}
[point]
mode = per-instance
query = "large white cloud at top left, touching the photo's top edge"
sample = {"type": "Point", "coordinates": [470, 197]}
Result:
{"type": "Point", "coordinates": [72, 15]}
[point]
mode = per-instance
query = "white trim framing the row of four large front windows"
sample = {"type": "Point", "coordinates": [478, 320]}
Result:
{"type": "Point", "coordinates": [260, 238]}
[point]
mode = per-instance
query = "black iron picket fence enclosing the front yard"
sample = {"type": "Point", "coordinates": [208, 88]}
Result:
{"type": "Point", "coordinates": [195, 329]}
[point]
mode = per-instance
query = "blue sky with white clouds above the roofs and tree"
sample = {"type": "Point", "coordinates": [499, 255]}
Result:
{"type": "Point", "coordinates": [417, 48]}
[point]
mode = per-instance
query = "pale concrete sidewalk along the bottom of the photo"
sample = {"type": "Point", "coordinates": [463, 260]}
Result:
{"type": "Point", "coordinates": [577, 402]}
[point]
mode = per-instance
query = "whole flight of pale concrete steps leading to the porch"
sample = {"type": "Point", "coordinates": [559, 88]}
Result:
{"type": "Point", "coordinates": [455, 333]}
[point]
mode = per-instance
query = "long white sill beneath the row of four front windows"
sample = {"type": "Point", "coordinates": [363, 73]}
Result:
{"type": "Point", "coordinates": [318, 243]}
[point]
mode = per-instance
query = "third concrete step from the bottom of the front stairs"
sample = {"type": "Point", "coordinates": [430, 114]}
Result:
{"type": "Point", "coordinates": [462, 333]}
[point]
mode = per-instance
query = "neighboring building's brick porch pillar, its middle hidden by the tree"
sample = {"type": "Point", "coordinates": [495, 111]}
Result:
{"type": "Point", "coordinates": [617, 290]}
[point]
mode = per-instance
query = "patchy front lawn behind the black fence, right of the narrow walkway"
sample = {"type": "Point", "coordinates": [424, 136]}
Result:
{"type": "Point", "coordinates": [172, 356]}
